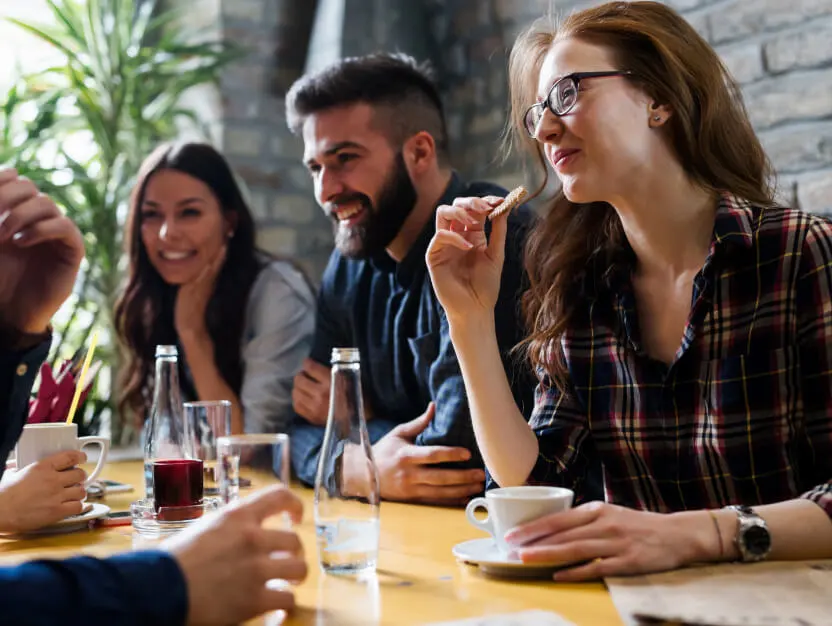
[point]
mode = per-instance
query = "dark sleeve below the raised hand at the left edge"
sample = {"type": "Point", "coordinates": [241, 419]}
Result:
{"type": "Point", "coordinates": [18, 371]}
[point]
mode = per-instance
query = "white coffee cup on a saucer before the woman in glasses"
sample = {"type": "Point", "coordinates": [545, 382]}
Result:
{"type": "Point", "coordinates": [508, 507]}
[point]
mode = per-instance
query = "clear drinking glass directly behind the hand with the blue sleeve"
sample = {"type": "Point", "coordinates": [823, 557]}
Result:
{"type": "Point", "coordinates": [246, 463]}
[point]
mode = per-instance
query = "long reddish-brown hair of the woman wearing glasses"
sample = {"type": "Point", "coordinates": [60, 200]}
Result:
{"type": "Point", "coordinates": [709, 132]}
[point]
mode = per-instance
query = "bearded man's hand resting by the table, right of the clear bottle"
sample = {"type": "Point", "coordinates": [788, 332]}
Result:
{"type": "Point", "coordinates": [405, 471]}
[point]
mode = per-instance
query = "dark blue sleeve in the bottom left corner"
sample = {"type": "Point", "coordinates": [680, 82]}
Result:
{"type": "Point", "coordinates": [127, 590]}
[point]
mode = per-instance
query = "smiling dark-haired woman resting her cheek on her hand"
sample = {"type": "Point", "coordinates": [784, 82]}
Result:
{"type": "Point", "coordinates": [242, 319]}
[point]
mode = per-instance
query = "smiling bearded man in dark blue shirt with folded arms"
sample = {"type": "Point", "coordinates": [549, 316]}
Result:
{"type": "Point", "coordinates": [376, 147]}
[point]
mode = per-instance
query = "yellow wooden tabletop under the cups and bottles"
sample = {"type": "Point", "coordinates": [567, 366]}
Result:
{"type": "Point", "coordinates": [418, 579]}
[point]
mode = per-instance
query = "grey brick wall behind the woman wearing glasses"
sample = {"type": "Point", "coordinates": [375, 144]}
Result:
{"type": "Point", "coordinates": [780, 51]}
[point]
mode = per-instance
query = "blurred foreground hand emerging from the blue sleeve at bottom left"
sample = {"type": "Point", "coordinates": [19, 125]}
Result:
{"type": "Point", "coordinates": [228, 558]}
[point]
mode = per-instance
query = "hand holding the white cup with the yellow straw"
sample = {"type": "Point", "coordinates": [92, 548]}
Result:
{"type": "Point", "coordinates": [42, 493]}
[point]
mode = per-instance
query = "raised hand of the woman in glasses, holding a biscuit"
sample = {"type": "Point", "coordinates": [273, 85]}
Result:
{"type": "Point", "coordinates": [465, 268]}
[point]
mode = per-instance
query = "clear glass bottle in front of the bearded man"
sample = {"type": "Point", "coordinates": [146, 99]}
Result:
{"type": "Point", "coordinates": [347, 492]}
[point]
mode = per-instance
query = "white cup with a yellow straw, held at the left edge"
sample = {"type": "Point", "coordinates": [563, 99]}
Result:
{"type": "Point", "coordinates": [38, 441]}
